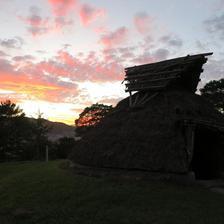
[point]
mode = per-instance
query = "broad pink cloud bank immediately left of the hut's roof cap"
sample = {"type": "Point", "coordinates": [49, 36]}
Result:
{"type": "Point", "coordinates": [91, 68]}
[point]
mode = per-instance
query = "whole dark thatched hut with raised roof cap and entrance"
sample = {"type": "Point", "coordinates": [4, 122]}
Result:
{"type": "Point", "coordinates": [163, 127]}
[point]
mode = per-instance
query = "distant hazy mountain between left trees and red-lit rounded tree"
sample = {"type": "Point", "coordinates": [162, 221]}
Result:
{"type": "Point", "coordinates": [58, 130]}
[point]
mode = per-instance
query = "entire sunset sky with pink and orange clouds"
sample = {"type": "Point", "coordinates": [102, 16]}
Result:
{"type": "Point", "coordinates": [59, 56]}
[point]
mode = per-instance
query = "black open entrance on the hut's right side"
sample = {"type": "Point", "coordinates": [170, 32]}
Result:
{"type": "Point", "coordinates": [205, 161]}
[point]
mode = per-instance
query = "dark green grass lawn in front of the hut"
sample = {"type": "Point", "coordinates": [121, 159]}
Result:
{"type": "Point", "coordinates": [43, 193]}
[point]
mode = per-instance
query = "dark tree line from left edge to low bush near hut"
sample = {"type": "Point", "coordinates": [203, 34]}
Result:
{"type": "Point", "coordinates": [22, 138]}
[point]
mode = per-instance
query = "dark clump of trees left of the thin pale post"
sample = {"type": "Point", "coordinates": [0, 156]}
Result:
{"type": "Point", "coordinates": [21, 138]}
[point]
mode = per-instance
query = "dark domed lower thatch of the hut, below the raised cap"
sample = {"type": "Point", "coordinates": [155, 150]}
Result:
{"type": "Point", "coordinates": [147, 138]}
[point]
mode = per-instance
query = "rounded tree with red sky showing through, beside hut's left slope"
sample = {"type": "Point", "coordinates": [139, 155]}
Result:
{"type": "Point", "coordinates": [91, 116]}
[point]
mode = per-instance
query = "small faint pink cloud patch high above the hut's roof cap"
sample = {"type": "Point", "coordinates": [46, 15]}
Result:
{"type": "Point", "coordinates": [143, 22]}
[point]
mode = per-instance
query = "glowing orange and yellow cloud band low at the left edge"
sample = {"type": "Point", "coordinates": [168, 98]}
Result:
{"type": "Point", "coordinates": [30, 82]}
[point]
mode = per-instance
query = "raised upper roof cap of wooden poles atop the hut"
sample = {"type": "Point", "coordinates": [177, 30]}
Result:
{"type": "Point", "coordinates": [183, 72]}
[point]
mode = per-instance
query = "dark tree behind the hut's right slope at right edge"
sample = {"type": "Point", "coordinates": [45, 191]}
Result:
{"type": "Point", "coordinates": [214, 92]}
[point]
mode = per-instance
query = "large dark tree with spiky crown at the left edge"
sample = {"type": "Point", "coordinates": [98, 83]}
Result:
{"type": "Point", "coordinates": [14, 131]}
